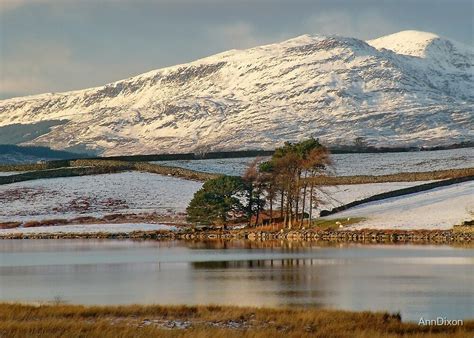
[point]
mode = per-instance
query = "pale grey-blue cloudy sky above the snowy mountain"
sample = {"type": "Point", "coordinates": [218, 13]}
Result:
{"type": "Point", "coordinates": [60, 45]}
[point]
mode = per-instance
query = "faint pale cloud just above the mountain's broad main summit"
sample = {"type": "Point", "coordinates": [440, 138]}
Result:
{"type": "Point", "coordinates": [366, 25]}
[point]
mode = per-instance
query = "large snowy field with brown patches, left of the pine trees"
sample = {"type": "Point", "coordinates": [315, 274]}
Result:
{"type": "Point", "coordinates": [96, 195]}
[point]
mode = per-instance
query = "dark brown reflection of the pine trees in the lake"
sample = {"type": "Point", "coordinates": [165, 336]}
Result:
{"type": "Point", "coordinates": [298, 282]}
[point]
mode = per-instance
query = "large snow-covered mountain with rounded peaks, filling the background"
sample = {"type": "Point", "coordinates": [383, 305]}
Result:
{"type": "Point", "coordinates": [406, 89]}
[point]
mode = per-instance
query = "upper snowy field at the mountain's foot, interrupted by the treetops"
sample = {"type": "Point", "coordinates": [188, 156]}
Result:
{"type": "Point", "coordinates": [352, 164]}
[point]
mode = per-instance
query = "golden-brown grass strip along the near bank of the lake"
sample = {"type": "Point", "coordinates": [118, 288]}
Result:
{"type": "Point", "coordinates": [18, 320]}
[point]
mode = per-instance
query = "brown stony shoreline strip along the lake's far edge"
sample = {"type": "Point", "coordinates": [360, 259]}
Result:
{"type": "Point", "coordinates": [364, 236]}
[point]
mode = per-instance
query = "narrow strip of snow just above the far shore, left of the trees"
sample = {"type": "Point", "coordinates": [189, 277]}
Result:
{"type": "Point", "coordinates": [89, 228]}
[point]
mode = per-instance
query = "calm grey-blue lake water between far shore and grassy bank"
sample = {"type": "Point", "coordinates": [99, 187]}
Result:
{"type": "Point", "coordinates": [426, 281]}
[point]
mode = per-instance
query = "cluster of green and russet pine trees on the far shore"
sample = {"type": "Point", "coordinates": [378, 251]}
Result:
{"type": "Point", "coordinates": [281, 188]}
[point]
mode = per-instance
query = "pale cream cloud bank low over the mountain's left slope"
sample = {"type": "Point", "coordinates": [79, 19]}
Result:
{"type": "Point", "coordinates": [35, 67]}
